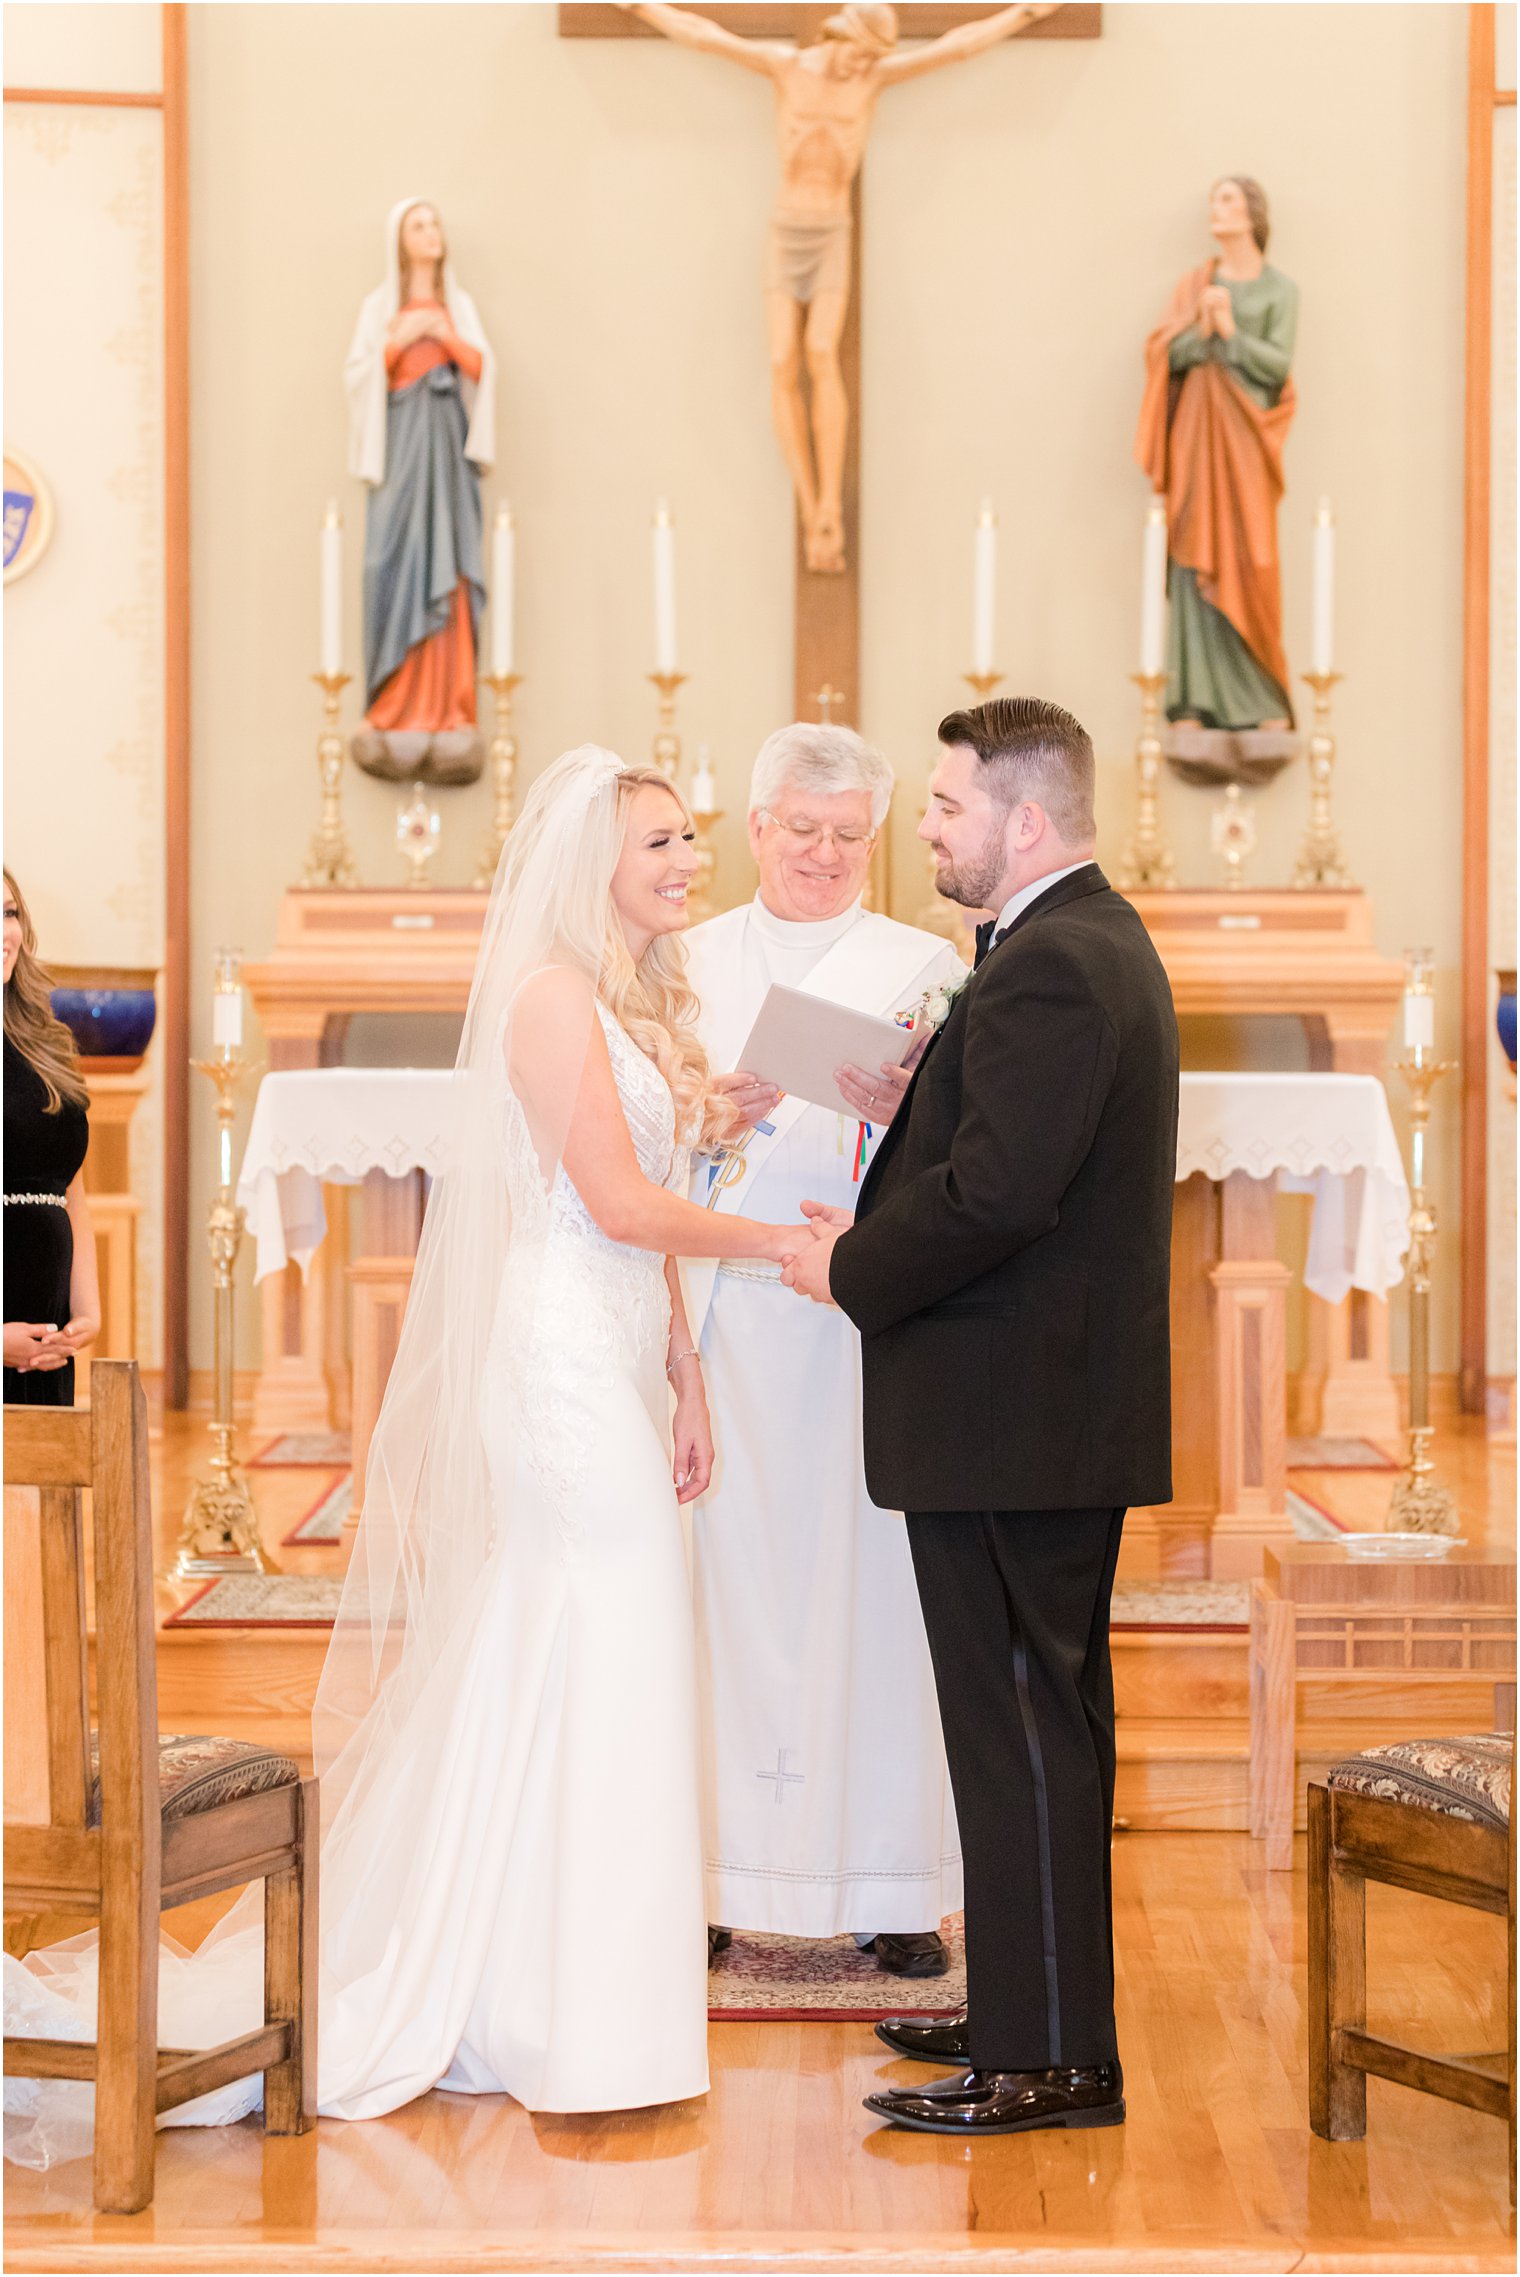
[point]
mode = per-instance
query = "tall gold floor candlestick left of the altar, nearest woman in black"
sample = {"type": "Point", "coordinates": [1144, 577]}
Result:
{"type": "Point", "coordinates": [222, 1527]}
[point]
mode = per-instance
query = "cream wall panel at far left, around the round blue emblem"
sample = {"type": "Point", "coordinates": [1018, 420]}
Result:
{"type": "Point", "coordinates": [85, 627]}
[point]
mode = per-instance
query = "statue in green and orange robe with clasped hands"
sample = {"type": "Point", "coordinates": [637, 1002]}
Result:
{"type": "Point", "coordinates": [1219, 404]}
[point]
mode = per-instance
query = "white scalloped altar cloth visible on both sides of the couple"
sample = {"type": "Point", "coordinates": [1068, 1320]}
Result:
{"type": "Point", "coordinates": [1323, 1135]}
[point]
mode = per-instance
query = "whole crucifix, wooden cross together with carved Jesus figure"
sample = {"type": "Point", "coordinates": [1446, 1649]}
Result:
{"type": "Point", "coordinates": [829, 67]}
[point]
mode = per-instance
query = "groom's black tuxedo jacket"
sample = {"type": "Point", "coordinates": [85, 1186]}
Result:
{"type": "Point", "coordinates": [1009, 1265]}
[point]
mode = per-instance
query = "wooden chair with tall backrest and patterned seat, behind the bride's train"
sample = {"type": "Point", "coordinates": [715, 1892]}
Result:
{"type": "Point", "coordinates": [126, 1823]}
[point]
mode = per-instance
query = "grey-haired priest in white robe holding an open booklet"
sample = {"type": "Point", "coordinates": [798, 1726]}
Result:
{"type": "Point", "coordinates": [827, 1798]}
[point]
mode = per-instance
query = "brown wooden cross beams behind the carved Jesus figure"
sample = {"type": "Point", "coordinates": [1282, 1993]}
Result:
{"type": "Point", "coordinates": [827, 648]}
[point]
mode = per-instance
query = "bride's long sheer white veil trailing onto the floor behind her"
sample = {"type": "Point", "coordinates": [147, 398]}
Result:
{"type": "Point", "coordinates": [429, 1527]}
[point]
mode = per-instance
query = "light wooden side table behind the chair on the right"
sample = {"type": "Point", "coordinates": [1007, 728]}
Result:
{"type": "Point", "coordinates": [1362, 1625]}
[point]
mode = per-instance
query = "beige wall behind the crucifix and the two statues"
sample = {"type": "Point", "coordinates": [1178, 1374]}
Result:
{"type": "Point", "coordinates": [1023, 224]}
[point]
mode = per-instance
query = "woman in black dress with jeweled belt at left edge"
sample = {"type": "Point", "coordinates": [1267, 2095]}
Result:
{"type": "Point", "coordinates": [51, 1279]}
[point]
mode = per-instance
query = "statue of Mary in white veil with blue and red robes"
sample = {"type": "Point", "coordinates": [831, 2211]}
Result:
{"type": "Point", "coordinates": [422, 402]}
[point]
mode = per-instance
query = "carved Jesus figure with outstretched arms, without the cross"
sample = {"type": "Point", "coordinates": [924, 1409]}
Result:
{"type": "Point", "coordinates": [825, 104]}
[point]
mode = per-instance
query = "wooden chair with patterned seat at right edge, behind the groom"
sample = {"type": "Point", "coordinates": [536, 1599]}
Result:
{"type": "Point", "coordinates": [1430, 1816]}
